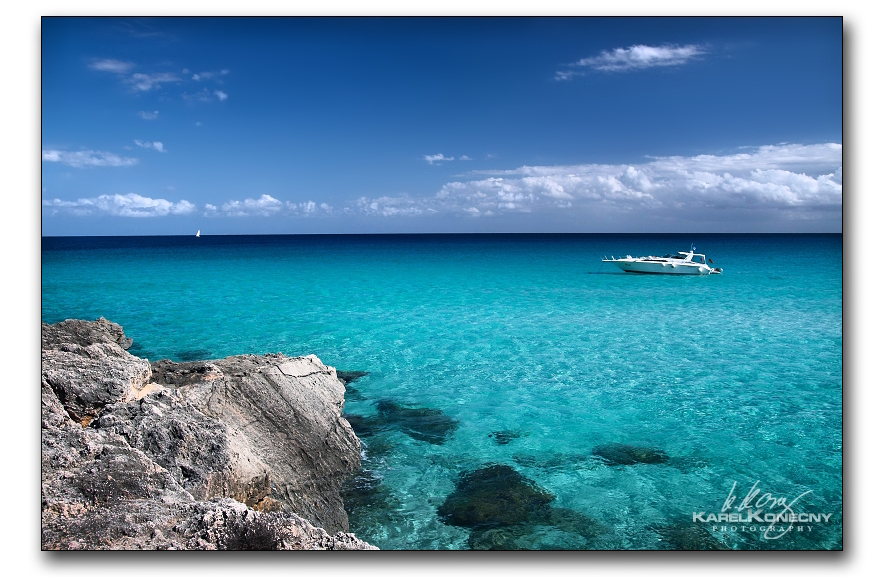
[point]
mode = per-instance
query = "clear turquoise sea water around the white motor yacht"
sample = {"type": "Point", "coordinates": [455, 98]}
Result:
{"type": "Point", "coordinates": [737, 378]}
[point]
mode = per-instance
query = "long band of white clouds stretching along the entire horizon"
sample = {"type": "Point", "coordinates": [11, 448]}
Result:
{"type": "Point", "coordinates": [783, 177]}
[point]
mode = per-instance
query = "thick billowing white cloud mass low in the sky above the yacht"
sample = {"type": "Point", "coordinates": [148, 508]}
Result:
{"type": "Point", "coordinates": [782, 176]}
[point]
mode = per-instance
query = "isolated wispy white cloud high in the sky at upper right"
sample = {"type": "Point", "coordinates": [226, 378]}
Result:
{"type": "Point", "coordinates": [636, 57]}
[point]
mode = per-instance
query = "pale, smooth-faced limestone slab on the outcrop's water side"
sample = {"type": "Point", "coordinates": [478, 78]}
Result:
{"type": "Point", "coordinates": [284, 435]}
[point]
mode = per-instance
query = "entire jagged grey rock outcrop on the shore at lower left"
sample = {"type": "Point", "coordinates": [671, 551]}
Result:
{"type": "Point", "coordinates": [247, 452]}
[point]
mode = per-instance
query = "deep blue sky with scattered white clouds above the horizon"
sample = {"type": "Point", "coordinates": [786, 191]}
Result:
{"type": "Point", "coordinates": [363, 125]}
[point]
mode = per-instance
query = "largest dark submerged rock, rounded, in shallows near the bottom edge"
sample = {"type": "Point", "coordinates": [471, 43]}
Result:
{"type": "Point", "coordinates": [492, 496]}
